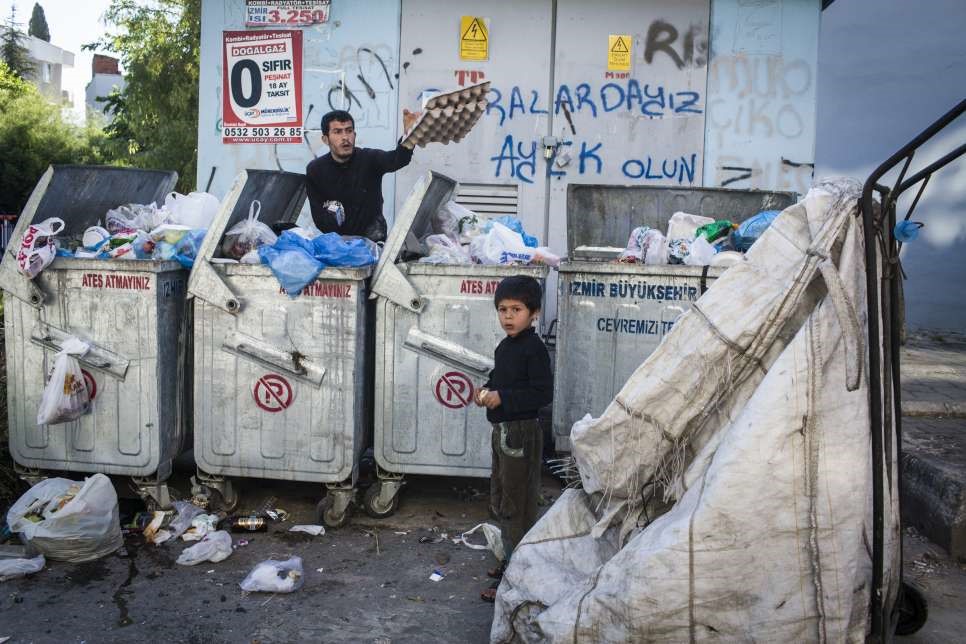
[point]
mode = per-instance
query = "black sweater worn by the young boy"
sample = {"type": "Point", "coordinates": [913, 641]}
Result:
{"type": "Point", "coordinates": [521, 374]}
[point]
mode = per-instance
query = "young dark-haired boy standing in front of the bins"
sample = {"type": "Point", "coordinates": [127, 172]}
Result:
{"type": "Point", "coordinates": [520, 384]}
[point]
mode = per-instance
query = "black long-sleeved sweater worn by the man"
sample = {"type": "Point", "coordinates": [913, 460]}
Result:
{"type": "Point", "coordinates": [357, 184]}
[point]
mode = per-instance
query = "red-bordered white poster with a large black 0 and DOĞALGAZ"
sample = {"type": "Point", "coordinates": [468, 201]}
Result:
{"type": "Point", "coordinates": [262, 87]}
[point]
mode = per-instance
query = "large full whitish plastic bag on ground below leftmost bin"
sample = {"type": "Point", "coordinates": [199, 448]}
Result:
{"type": "Point", "coordinates": [69, 520]}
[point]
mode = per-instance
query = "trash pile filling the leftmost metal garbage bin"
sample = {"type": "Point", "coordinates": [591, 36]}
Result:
{"type": "Point", "coordinates": [173, 231]}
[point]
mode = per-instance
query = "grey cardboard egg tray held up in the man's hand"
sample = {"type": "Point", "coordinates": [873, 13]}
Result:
{"type": "Point", "coordinates": [449, 116]}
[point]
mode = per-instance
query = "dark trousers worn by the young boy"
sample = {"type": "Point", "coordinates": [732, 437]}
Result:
{"type": "Point", "coordinates": [515, 481]}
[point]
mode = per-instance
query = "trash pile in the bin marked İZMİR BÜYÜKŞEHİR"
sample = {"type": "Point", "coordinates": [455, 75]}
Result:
{"type": "Point", "coordinates": [696, 241]}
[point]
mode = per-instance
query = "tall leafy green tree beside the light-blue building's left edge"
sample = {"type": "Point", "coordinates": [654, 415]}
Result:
{"type": "Point", "coordinates": [156, 114]}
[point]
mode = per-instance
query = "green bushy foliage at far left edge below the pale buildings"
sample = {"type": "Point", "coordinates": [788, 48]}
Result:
{"type": "Point", "coordinates": [33, 135]}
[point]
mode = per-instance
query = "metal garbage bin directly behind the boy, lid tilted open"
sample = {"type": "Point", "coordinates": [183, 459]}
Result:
{"type": "Point", "coordinates": [436, 329]}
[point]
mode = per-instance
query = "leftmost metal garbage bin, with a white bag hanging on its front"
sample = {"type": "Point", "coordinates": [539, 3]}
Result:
{"type": "Point", "coordinates": [132, 312]}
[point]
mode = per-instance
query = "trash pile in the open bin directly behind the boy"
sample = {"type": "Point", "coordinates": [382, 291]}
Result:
{"type": "Point", "coordinates": [460, 236]}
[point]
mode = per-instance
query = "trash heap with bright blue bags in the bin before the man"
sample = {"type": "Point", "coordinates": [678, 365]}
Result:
{"type": "Point", "coordinates": [296, 256]}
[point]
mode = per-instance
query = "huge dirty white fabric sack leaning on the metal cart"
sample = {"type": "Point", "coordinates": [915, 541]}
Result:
{"type": "Point", "coordinates": [730, 502]}
